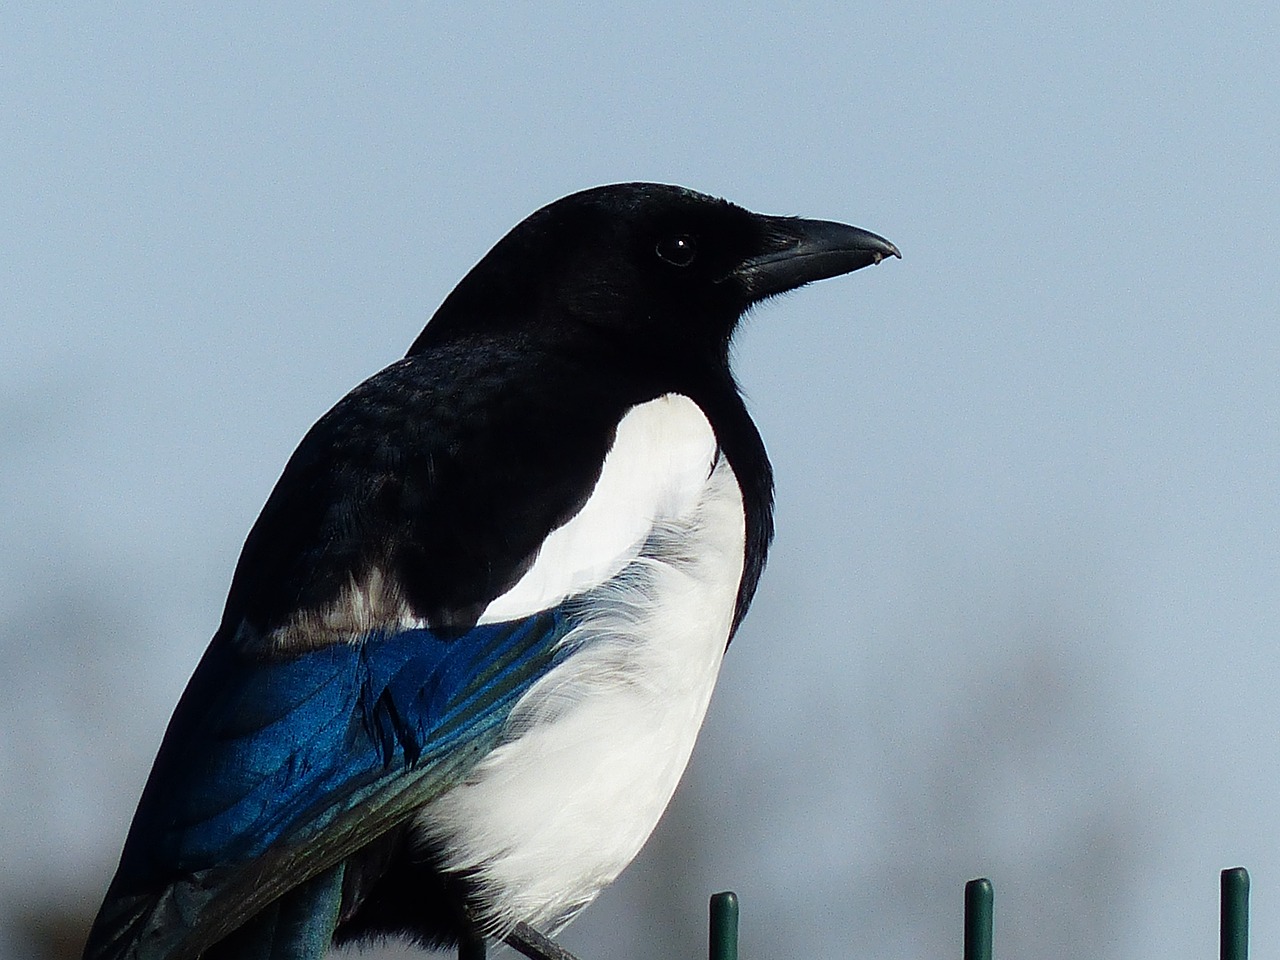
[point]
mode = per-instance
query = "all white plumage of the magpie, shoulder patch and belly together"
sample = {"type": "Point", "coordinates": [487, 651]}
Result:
{"type": "Point", "coordinates": [598, 746]}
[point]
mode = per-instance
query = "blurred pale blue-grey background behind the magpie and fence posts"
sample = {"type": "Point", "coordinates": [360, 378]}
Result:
{"type": "Point", "coordinates": [1021, 618]}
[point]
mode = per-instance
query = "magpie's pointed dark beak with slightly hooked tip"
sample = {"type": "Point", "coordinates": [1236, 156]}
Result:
{"type": "Point", "coordinates": [802, 252]}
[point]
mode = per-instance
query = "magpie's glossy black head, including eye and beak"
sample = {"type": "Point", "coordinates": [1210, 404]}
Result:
{"type": "Point", "coordinates": [643, 267]}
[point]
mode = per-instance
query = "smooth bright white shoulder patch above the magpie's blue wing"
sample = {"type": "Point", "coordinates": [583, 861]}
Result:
{"type": "Point", "coordinates": [660, 464]}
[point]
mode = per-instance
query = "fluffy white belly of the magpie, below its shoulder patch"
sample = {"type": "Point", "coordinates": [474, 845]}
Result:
{"type": "Point", "coordinates": [597, 747]}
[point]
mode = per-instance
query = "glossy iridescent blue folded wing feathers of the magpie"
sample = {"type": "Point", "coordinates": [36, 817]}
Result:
{"type": "Point", "coordinates": [276, 770]}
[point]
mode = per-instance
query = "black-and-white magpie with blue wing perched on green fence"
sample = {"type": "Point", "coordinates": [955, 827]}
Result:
{"type": "Point", "coordinates": [472, 638]}
